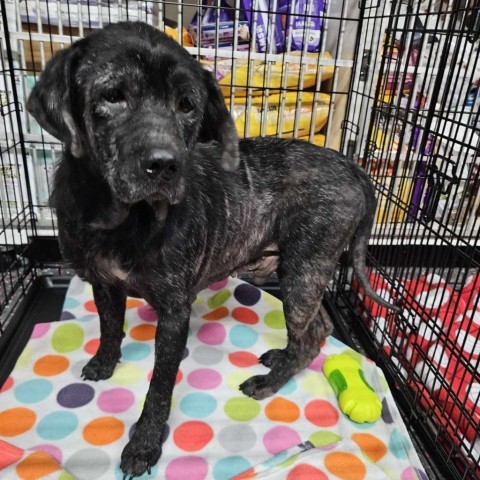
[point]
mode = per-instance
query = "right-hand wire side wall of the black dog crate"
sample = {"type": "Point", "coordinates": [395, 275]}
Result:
{"type": "Point", "coordinates": [414, 126]}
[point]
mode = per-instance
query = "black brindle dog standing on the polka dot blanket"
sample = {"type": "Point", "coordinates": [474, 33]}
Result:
{"type": "Point", "coordinates": [155, 196]}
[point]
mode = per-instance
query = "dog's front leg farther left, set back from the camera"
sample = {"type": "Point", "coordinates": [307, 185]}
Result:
{"type": "Point", "coordinates": [110, 301]}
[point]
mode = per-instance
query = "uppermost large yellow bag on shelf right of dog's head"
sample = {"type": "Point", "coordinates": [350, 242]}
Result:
{"type": "Point", "coordinates": [278, 78]}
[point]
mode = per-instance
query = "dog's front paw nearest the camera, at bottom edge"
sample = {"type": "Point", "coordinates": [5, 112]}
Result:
{"type": "Point", "coordinates": [139, 456]}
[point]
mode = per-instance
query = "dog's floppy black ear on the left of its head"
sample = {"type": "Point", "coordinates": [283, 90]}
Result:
{"type": "Point", "coordinates": [50, 102]}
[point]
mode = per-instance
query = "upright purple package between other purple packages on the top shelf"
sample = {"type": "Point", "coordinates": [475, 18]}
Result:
{"type": "Point", "coordinates": [263, 10]}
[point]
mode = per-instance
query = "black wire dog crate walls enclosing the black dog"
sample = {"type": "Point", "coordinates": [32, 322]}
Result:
{"type": "Point", "coordinates": [394, 85]}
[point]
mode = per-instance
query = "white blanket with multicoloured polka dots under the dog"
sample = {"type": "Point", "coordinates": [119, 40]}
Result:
{"type": "Point", "coordinates": [54, 425]}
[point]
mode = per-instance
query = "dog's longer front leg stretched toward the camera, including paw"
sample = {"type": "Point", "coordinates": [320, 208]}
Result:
{"type": "Point", "coordinates": [145, 446]}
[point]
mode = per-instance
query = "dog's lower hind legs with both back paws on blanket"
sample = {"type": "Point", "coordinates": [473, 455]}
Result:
{"type": "Point", "coordinates": [307, 327]}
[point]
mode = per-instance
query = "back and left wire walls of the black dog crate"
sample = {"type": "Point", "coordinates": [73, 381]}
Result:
{"type": "Point", "coordinates": [279, 76]}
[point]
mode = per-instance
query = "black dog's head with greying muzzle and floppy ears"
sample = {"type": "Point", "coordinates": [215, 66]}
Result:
{"type": "Point", "coordinates": [133, 103]}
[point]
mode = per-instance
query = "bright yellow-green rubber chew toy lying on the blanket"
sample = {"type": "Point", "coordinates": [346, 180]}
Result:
{"type": "Point", "coordinates": [355, 396]}
